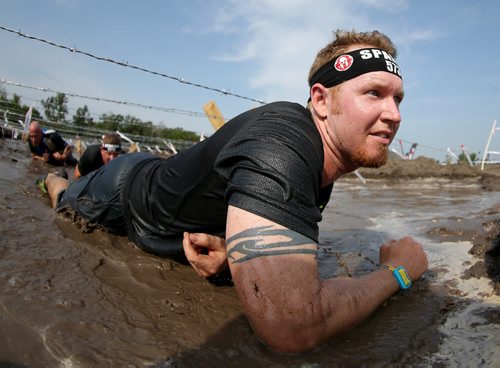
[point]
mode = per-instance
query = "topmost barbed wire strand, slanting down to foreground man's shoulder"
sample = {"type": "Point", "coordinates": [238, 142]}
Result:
{"type": "Point", "coordinates": [127, 65]}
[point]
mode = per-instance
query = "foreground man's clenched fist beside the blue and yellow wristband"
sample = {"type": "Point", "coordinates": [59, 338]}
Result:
{"type": "Point", "coordinates": [406, 252]}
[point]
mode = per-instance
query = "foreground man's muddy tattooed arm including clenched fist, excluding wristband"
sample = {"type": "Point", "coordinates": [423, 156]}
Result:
{"type": "Point", "coordinates": [275, 272]}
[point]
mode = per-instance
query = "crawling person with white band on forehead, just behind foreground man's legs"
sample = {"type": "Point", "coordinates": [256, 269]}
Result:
{"type": "Point", "coordinates": [98, 155]}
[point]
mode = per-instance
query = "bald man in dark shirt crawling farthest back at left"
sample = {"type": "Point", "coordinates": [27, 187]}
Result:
{"type": "Point", "coordinates": [48, 146]}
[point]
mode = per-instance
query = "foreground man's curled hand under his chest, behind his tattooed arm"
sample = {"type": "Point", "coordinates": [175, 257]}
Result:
{"type": "Point", "coordinates": [206, 253]}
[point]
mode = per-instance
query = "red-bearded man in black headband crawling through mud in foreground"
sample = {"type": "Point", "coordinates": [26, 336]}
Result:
{"type": "Point", "coordinates": [254, 192]}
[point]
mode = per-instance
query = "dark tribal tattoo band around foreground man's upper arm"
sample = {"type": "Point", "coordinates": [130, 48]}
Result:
{"type": "Point", "coordinates": [254, 243]}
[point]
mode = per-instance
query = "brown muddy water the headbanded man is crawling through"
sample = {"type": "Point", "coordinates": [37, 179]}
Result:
{"type": "Point", "coordinates": [73, 299]}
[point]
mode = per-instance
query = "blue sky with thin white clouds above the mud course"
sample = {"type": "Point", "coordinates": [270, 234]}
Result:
{"type": "Point", "coordinates": [260, 50]}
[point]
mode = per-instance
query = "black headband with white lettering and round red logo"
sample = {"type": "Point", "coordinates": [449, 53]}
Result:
{"type": "Point", "coordinates": [354, 63]}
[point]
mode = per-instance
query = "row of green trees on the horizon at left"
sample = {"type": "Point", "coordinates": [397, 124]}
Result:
{"type": "Point", "coordinates": [56, 110]}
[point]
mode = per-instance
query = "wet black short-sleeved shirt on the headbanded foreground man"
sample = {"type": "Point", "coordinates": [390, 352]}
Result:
{"type": "Point", "coordinates": [267, 161]}
